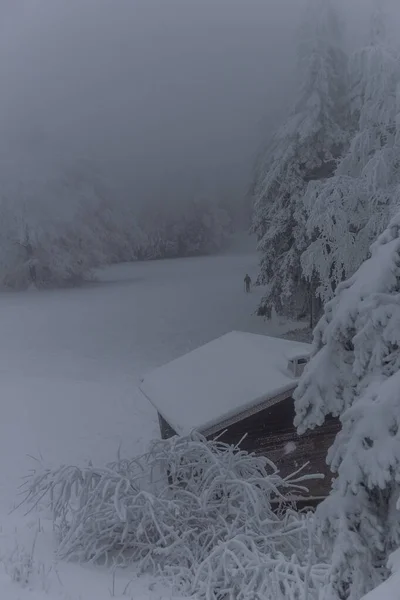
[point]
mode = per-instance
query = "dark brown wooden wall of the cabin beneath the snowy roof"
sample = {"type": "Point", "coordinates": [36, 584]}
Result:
{"type": "Point", "coordinates": [271, 433]}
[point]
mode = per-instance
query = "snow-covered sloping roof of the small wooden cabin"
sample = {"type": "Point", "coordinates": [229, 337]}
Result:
{"type": "Point", "coordinates": [234, 374]}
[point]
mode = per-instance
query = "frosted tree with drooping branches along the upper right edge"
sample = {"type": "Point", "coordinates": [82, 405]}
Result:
{"type": "Point", "coordinates": [345, 214]}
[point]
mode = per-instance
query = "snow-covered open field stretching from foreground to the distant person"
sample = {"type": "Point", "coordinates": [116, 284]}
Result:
{"type": "Point", "coordinates": [70, 362]}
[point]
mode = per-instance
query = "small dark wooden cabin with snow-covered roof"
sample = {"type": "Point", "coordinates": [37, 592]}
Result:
{"type": "Point", "coordinates": [242, 383]}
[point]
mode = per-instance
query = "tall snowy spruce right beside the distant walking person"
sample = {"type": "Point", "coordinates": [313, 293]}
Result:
{"type": "Point", "coordinates": [304, 149]}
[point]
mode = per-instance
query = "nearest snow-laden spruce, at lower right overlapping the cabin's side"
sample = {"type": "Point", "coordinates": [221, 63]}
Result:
{"type": "Point", "coordinates": [355, 375]}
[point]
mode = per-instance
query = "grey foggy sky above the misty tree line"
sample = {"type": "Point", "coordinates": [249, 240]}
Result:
{"type": "Point", "coordinates": [168, 94]}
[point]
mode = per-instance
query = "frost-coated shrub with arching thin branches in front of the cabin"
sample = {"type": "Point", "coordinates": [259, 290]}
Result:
{"type": "Point", "coordinates": [197, 512]}
